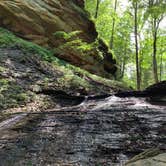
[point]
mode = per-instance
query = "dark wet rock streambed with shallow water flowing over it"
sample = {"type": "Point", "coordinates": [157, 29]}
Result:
{"type": "Point", "coordinates": [96, 132]}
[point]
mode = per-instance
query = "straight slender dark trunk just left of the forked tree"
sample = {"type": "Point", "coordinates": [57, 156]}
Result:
{"type": "Point", "coordinates": [136, 45]}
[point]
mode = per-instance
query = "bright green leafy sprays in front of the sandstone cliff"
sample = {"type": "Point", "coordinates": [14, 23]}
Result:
{"type": "Point", "coordinates": [71, 42]}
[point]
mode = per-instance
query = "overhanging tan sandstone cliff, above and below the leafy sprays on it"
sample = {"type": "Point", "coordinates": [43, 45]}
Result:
{"type": "Point", "coordinates": [37, 20]}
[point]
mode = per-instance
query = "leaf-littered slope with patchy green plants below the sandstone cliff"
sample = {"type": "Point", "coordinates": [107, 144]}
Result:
{"type": "Point", "coordinates": [26, 78]}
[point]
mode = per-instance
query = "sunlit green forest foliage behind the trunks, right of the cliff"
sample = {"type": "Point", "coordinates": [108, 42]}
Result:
{"type": "Point", "coordinates": [150, 13]}
